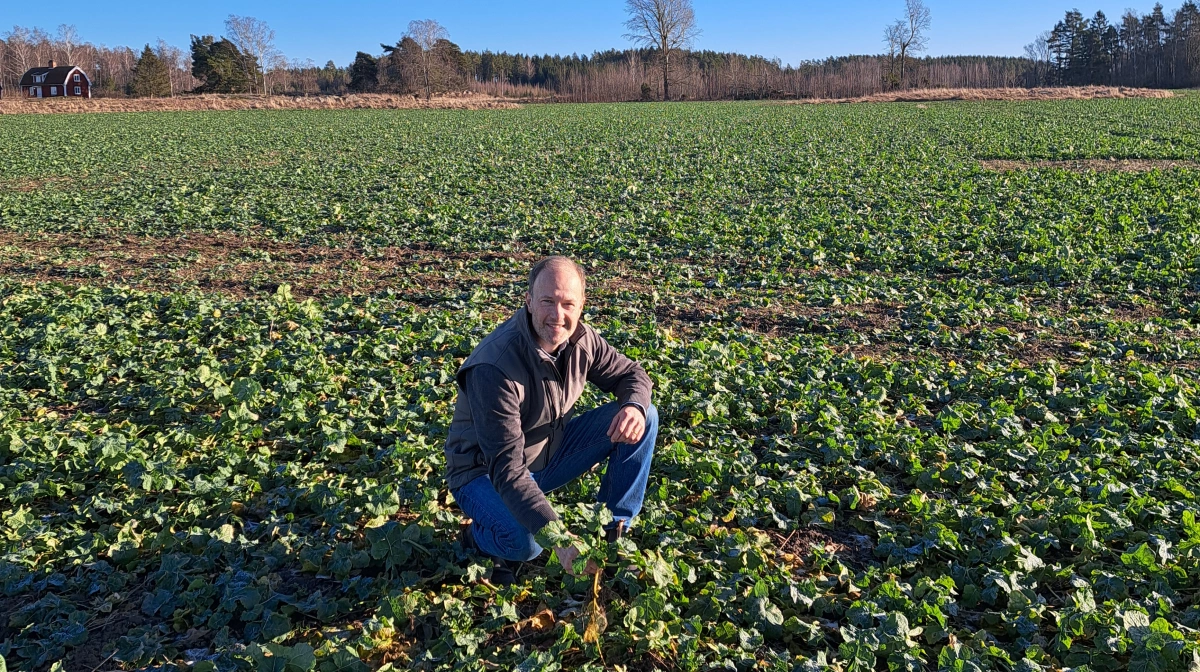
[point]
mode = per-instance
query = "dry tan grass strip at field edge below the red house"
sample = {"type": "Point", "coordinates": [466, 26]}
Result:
{"type": "Point", "coordinates": [217, 103]}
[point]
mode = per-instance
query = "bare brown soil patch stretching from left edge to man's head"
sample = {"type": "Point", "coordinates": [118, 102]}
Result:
{"type": "Point", "coordinates": [243, 266]}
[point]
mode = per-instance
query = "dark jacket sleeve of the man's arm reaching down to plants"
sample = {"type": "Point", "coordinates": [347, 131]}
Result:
{"type": "Point", "coordinates": [496, 413]}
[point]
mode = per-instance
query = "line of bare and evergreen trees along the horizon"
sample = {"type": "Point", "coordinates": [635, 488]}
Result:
{"type": "Point", "coordinates": [1157, 50]}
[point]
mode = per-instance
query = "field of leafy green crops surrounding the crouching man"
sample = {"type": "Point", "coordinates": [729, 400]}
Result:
{"type": "Point", "coordinates": [929, 379]}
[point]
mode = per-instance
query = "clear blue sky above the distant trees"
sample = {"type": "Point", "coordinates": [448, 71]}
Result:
{"type": "Point", "coordinates": [791, 31]}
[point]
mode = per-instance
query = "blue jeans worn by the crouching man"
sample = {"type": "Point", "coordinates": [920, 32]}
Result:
{"type": "Point", "coordinates": [585, 446]}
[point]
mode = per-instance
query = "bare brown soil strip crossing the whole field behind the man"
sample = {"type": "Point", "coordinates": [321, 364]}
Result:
{"type": "Point", "coordinates": [248, 265]}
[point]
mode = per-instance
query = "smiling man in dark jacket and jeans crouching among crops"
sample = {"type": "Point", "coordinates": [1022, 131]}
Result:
{"type": "Point", "coordinates": [513, 437]}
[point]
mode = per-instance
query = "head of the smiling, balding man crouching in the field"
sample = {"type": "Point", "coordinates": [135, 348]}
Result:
{"type": "Point", "coordinates": [555, 301]}
